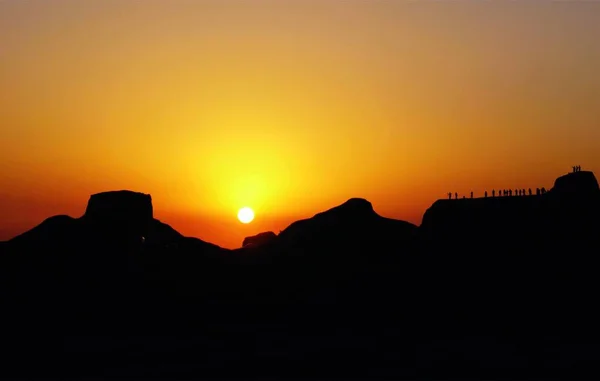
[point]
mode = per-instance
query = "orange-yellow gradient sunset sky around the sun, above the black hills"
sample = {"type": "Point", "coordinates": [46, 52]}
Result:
{"type": "Point", "coordinates": [289, 106]}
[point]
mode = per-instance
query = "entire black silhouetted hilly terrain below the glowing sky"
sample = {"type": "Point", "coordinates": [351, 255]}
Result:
{"type": "Point", "coordinates": [502, 287]}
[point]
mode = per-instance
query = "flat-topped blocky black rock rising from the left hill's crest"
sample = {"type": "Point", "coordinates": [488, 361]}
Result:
{"type": "Point", "coordinates": [120, 212]}
